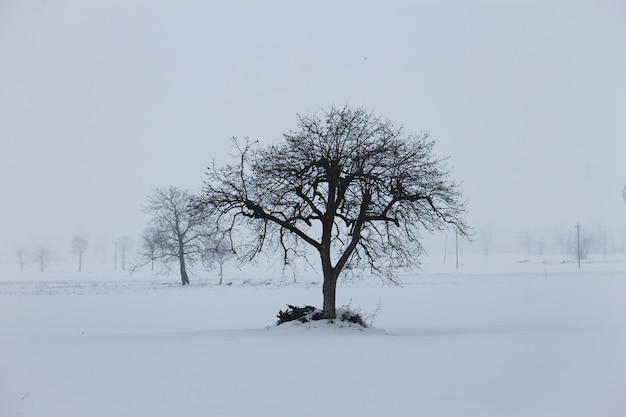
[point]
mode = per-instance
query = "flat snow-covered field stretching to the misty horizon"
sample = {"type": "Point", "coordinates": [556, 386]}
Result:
{"type": "Point", "coordinates": [498, 337]}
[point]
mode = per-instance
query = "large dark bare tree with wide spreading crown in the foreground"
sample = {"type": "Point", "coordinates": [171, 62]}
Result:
{"type": "Point", "coordinates": [351, 186]}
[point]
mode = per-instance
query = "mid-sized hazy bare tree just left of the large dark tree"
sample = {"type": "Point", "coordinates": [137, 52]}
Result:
{"type": "Point", "coordinates": [179, 230]}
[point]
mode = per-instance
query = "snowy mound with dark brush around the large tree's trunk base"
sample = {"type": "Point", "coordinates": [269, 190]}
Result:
{"type": "Point", "coordinates": [309, 317]}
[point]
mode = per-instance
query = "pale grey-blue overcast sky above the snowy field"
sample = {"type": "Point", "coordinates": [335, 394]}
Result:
{"type": "Point", "coordinates": [103, 101]}
